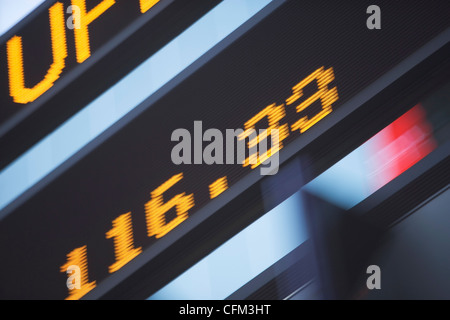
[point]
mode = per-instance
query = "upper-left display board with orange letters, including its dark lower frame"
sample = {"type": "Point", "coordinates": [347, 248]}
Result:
{"type": "Point", "coordinates": [46, 60]}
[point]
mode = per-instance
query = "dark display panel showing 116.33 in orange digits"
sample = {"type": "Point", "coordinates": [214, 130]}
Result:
{"type": "Point", "coordinates": [291, 71]}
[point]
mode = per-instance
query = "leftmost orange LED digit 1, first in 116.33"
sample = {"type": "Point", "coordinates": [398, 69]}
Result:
{"type": "Point", "coordinates": [78, 257]}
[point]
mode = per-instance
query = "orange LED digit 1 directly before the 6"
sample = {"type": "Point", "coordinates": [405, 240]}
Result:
{"type": "Point", "coordinates": [122, 232]}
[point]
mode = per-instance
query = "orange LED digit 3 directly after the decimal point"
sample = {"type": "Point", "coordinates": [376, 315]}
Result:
{"type": "Point", "coordinates": [274, 114]}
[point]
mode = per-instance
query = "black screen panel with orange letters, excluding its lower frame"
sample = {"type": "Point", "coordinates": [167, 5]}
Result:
{"type": "Point", "coordinates": [34, 63]}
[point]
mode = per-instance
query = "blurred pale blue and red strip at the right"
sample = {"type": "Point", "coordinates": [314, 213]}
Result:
{"type": "Point", "coordinates": [382, 158]}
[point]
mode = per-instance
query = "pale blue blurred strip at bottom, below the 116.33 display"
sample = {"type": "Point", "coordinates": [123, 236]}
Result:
{"type": "Point", "coordinates": [243, 257]}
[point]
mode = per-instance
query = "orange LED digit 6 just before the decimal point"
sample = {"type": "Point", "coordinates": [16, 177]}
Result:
{"type": "Point", "coordinates": [155, 209]}
